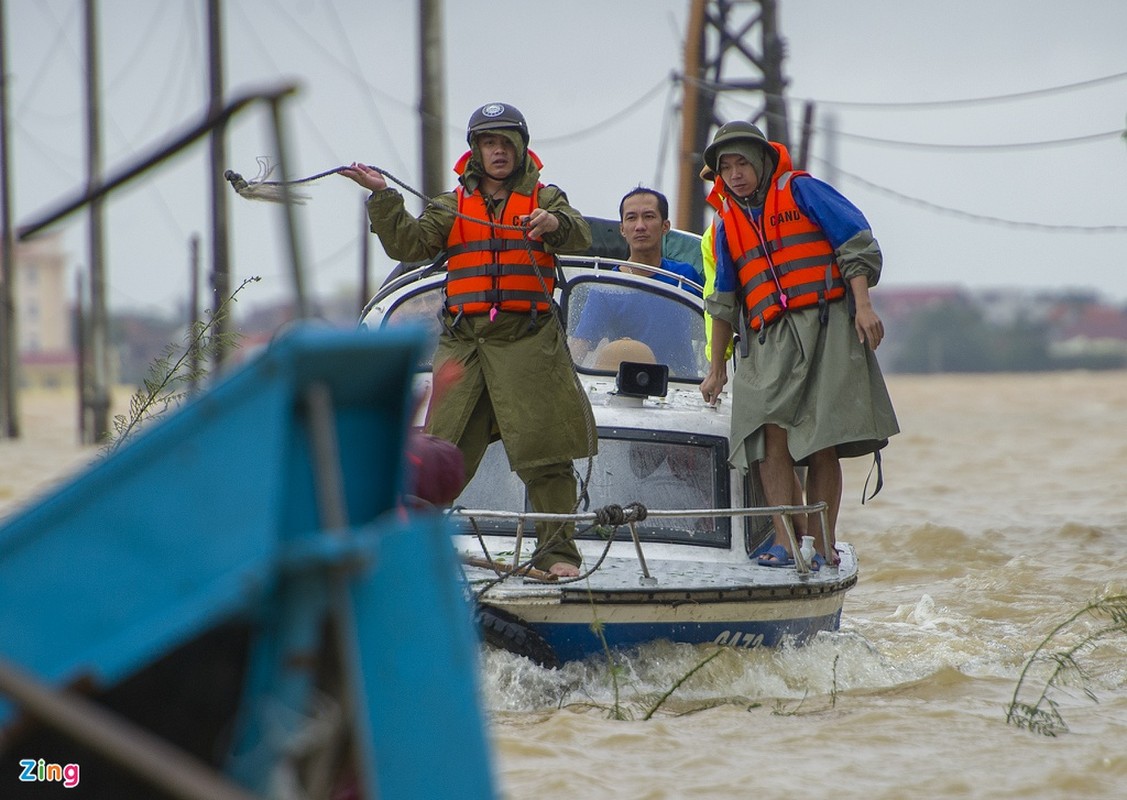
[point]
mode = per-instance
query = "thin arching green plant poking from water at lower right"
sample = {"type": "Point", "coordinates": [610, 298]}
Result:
{"type": "Point", "coordinates": [1043, 716]}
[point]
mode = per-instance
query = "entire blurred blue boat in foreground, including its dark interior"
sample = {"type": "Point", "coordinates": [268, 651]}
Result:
{"type": "Point", "coordinates": [246, 559]}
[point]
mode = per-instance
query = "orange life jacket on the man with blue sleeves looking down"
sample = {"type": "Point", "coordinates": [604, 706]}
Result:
{"type": "Point", "coordinates": [784, 261]}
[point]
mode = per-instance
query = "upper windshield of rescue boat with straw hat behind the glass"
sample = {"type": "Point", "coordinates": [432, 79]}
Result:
{"type": "Point", "coordinates": [611, 322]}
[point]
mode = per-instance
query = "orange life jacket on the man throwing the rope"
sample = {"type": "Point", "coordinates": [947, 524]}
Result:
{"type": "Point", "coordinates": [489, 269]}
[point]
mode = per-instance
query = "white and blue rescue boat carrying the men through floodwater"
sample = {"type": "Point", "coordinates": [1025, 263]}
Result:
{"type": "Point", "coordinates": [670, 535]}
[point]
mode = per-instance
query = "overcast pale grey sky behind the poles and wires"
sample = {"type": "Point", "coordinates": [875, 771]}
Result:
{"type": "Point", "coordinates": [924, 96]}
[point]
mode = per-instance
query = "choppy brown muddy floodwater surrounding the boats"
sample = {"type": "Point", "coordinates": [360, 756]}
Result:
{"type": "Point", "coordinates": [1004, 513]}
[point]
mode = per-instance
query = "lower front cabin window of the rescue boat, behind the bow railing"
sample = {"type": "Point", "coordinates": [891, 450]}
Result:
{"type": "Point", "coordinates": [679, 473]}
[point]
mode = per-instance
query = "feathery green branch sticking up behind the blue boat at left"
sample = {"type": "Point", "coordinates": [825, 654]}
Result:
{"type": "Point", "coordinates": [171, 377]}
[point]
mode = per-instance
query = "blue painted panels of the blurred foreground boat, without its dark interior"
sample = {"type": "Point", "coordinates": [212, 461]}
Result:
{"type": "Point", "coordinates": [220, 513]}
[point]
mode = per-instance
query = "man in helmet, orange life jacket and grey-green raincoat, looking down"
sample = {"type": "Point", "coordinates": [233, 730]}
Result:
{"type": "Point", "coordinates": [794, 265]}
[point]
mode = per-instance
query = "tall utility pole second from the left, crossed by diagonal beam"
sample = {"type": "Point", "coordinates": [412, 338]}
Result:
{"type": "Point", "coordinates": [100, 316]}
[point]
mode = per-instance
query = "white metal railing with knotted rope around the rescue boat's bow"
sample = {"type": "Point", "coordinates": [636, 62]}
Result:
{"type": "Point", "coordinates": [615, 517]}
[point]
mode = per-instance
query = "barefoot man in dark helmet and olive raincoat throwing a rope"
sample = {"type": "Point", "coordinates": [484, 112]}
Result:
{"type": "Point", "coordinates": [500, 230]}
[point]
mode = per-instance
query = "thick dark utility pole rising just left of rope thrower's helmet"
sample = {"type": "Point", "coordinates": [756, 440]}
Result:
{"type": "Point", "coordinates": [432, 96]}
